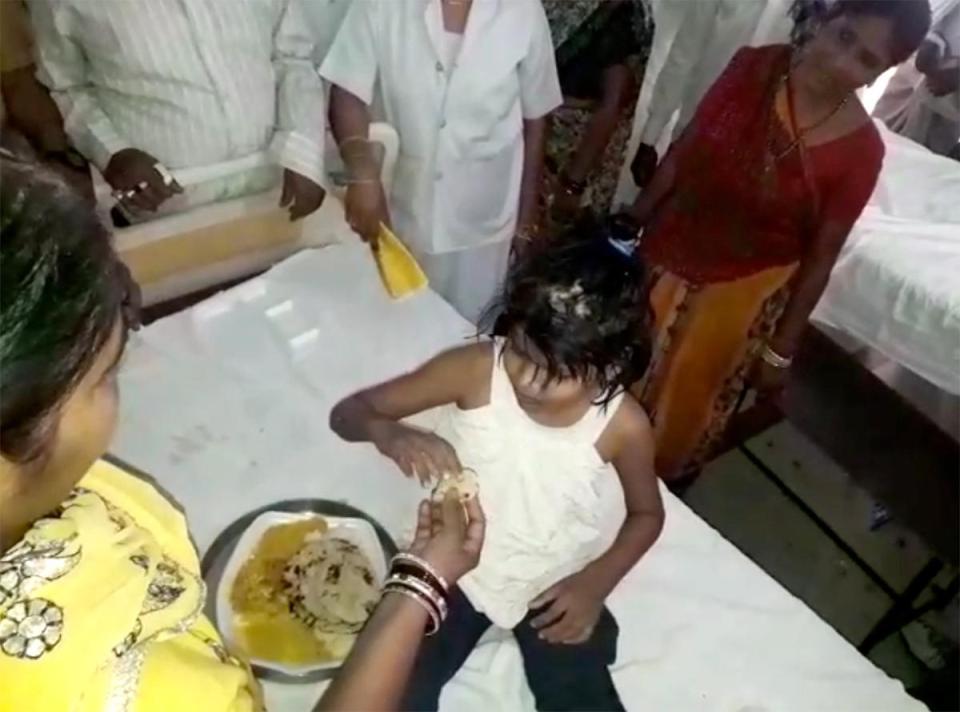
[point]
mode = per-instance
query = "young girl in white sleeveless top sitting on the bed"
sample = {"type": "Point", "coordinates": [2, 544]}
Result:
{"type": "Point", "coordinates": [542, 417]}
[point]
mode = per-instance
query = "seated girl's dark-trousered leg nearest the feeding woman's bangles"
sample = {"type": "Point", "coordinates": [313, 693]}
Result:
{"type": "Point", "coordinates": [442, 655]}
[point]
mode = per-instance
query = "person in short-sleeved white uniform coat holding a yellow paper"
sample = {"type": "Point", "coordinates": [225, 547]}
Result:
{"type": "Point", "coordinates": [468, 86]}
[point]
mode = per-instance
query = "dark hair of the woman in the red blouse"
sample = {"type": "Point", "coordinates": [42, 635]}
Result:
{"type": "Point", "coordinates": [910, 20]}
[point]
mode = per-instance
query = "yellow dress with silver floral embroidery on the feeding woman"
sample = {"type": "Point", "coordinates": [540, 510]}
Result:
{"type": "Point", "coordinates": [101, 609]}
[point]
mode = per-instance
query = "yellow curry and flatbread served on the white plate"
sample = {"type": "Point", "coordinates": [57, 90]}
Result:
{"type": "Point", "coordinates": [303, 595]}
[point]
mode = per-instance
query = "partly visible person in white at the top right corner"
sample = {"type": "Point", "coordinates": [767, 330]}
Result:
{"type": "Point", "coordinates": [922, 101]}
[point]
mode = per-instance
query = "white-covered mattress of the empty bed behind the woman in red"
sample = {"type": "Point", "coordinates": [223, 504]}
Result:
{"type": "Point", "coordinates": [896, 286]}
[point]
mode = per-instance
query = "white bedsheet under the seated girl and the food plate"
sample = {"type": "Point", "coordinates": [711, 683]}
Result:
{"type": "Point", "coordinates": [226, 404]}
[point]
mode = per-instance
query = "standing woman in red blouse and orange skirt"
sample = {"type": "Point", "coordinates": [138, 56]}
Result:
{"type": "Point", "coordinates": [744, 218]}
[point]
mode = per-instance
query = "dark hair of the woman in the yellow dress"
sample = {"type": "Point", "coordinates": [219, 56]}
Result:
{"type": "Point", "coordinates": [61, 291]}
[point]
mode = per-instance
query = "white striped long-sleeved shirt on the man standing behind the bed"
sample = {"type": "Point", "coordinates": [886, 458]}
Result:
{"type": "Point", "coordinates": [191, 82]}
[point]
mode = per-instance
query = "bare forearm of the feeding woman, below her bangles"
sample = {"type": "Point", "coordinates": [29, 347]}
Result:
{"type": "Point", "coordinates": [375, 675]}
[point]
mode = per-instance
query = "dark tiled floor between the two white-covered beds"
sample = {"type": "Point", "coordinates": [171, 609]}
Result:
{"type": "Point", "coordinates": [799, 498]}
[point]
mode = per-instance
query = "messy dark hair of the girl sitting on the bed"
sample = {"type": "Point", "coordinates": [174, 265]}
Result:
{"type": "Point", "coordinates": [583, 305]}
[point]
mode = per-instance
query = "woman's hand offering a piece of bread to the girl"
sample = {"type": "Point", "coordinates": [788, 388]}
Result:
{"type": "Point", "coordinates": [448, 540]}
